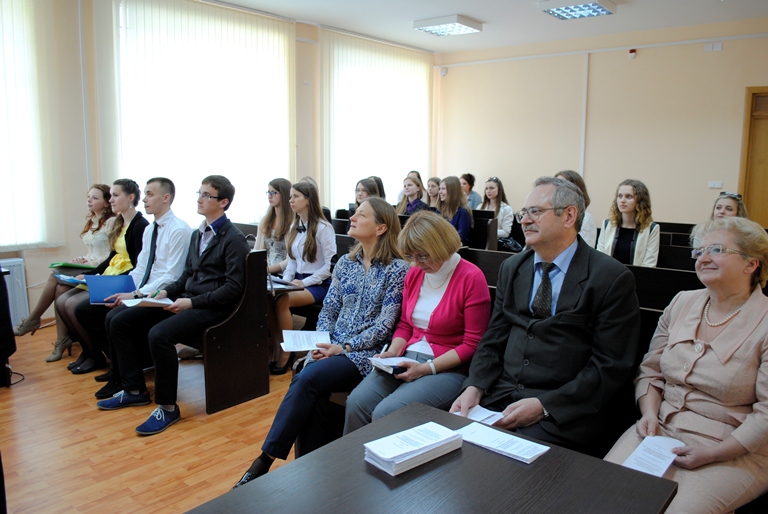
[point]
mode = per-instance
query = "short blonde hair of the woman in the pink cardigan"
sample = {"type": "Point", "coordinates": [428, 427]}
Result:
{"type": "Point", "coordinates": [428, 233]}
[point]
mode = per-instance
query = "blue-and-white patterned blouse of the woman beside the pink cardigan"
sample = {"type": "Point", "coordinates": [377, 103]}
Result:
{"type": "Point", "coordinates": [362, 309]}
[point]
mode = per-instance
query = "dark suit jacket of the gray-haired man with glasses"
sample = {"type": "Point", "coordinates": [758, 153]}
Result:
{"type": "Point", "coordinates": [574, 361]}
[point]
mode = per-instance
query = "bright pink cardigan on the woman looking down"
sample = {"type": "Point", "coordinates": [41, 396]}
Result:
{"type": "Point", "coordinates": [461, 317]}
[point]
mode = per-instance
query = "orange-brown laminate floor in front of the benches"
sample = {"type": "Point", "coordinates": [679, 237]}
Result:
{"type": "Point", "coordinates": [61, 454]}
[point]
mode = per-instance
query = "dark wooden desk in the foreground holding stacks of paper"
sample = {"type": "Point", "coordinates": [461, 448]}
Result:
{"type": "Point", "coordinates": [336, 479]}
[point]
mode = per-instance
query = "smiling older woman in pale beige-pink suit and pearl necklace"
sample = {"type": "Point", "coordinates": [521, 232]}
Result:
{"type": "Point", "coordinates": [704, 380]}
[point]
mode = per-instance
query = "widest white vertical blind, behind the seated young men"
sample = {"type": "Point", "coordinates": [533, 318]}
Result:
{"type": "Point", "coordinates": [199, 90]}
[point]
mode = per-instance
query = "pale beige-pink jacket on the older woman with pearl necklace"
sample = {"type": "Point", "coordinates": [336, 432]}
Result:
{"type": "Point", "coordinates": [715, 389]}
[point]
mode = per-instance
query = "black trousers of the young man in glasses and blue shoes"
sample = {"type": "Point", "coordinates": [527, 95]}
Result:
{"type": "Point", "coordinates": [131, 328]}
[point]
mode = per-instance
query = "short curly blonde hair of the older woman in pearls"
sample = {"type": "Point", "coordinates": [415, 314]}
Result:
{"type": "Point", "coordinates": [748, 236]}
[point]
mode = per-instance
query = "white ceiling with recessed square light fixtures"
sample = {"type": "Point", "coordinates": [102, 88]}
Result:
{"type": "Point", "coordinates": [506, 22]}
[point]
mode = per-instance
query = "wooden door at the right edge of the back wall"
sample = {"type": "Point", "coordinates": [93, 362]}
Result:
{"type": "Point", "coordinates": [755, 156]}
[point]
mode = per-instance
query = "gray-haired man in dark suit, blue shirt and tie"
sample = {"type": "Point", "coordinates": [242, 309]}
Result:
{"type": "Point", "coordinates": [563, 334]}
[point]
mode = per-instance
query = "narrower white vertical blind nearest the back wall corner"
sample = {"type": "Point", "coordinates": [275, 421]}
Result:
{"type": "Point", "coordinates": [376, 104]}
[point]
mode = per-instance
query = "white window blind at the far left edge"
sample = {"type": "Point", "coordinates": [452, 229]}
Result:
{"type": "Point", "coordinates": [31, 209]}
